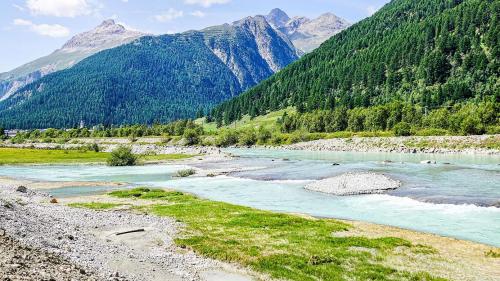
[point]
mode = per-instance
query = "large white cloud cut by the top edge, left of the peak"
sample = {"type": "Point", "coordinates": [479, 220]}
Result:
{"type": "Point", "coordinates": [62, 8]}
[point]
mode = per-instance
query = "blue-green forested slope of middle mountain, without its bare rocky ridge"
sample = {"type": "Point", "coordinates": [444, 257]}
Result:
{"type": "Point", "coordinates": [153, 79]}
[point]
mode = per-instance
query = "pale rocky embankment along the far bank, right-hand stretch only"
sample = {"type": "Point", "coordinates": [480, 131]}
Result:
{"type": "Point", "coordinates": [438, 145]}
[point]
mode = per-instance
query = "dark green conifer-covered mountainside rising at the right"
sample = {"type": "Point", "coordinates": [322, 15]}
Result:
{"type": "Point", "coordinates": [431, 53]}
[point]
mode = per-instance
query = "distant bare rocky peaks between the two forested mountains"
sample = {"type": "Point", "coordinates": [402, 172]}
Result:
{"type": "Point", "coordinates": [307, 34]}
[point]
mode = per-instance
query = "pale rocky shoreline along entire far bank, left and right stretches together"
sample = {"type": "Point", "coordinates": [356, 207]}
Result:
{"type": "Point", "coordinates": [481, 145]}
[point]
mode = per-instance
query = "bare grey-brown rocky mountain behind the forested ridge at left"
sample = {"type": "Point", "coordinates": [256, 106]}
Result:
{"type": "Point", "coordinates": [107, 35]}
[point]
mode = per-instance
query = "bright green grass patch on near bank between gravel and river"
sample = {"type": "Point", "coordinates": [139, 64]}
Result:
{"type": "Point", "coordinates": [283, 246]}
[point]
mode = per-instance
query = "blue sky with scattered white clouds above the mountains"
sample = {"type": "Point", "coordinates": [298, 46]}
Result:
{"type": "Point", "coordinates": [33, 28]}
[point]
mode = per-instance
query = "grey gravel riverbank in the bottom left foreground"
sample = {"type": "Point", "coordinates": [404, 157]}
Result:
{"type": "Point", "coordinates": [88, 241]}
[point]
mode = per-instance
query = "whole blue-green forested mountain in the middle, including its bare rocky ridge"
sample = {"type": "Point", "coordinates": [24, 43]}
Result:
{"type": "Point", "coordinates": [154, 78]}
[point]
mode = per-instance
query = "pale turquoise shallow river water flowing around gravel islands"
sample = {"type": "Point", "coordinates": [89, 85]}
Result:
{"type": "Point", "coordinates": [447, 199]}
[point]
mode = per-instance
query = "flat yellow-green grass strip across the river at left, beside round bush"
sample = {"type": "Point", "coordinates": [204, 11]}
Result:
{"type": "Point", "coordinates": [13, 156]}
